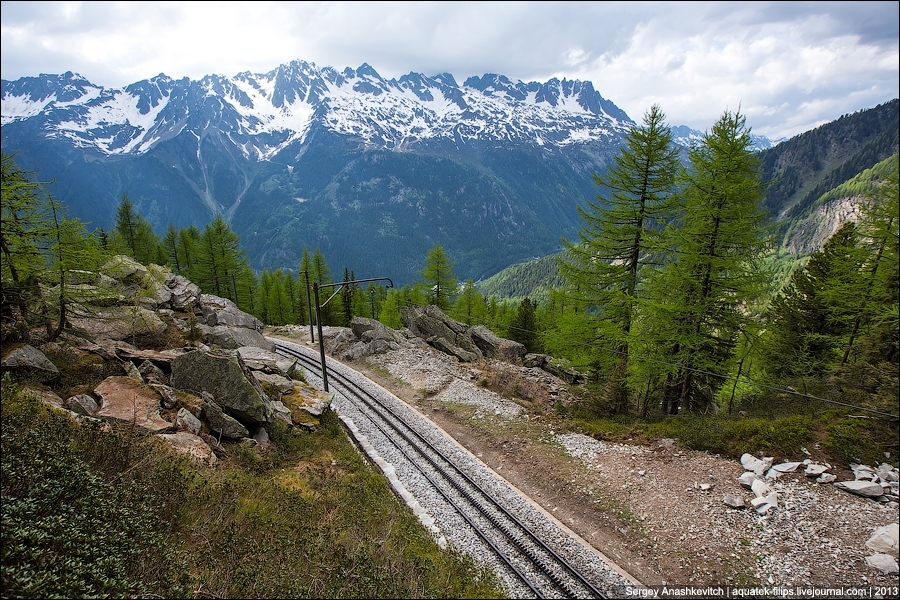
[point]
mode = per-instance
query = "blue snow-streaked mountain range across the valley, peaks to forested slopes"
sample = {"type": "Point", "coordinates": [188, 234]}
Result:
{"type": "Point", "coordinates": [371, 171]}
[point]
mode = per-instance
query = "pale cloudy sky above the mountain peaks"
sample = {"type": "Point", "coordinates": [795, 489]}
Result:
{"type": "Point", "coordinates": [789, 66]}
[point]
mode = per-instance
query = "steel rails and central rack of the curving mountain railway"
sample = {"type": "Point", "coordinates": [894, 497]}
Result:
{"type": "Point", "coordinates": [523, 545]}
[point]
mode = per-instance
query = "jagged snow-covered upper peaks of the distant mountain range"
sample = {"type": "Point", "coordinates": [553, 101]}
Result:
{"type": "Point", "coordinates": [264, 113]}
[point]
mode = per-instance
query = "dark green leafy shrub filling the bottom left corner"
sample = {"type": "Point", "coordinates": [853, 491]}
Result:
{"type": "Point", "coordinates": [69, 530]}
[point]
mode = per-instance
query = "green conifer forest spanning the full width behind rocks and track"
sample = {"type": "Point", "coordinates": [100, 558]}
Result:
{"type": "Point", "coordinates": [666, 299]}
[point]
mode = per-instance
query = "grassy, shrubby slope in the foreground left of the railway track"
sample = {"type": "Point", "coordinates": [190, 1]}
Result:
{"type": "Point", "coordinates": [90, 510]}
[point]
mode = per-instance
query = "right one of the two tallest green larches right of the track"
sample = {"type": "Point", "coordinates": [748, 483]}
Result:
{"type": "Point", "coordinates": [700, 299]}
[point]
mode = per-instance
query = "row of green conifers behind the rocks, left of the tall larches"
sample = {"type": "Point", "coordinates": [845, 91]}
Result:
{"type": "Point", "coordinates": [42, 246]}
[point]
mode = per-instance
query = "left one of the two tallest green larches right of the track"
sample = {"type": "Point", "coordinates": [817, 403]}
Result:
{"type": "Point", "coordinates": [619, 238]}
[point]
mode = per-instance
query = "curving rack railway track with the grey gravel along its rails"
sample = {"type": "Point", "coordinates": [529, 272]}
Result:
{"type": "Point", "coordinates": [531, 558]}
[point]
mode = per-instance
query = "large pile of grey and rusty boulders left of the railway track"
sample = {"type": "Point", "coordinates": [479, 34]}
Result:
{"type": "Point", "coordinates": [230, 386]}
